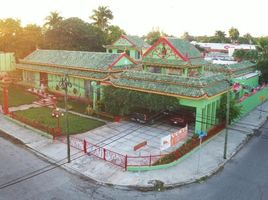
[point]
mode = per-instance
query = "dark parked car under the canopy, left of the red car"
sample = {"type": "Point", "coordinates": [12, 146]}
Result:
{"type": "Point", "coordinates": [145, 116]}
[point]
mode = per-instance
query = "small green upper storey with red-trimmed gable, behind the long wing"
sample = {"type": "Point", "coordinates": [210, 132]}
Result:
{"type": "Point", "coordinates": [134, 46]}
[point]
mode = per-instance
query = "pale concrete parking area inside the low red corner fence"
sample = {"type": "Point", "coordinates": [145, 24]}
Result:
{"type": "Point", "coordinates": [124, 136]}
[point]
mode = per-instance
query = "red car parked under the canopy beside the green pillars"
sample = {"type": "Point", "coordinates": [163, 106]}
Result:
{"type": "Point", "coordinates": [180, 117]}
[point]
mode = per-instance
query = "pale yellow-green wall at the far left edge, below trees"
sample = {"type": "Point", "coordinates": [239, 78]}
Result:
{"type": "Point", "coordinates": [7, 62]}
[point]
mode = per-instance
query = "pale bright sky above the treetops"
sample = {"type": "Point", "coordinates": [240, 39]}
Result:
{"type": "Point", "coordinates": [138, 17]}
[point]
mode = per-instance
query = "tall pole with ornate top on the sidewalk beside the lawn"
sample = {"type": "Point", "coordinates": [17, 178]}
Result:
{"type": "Point", "coordinates": [64, 84]}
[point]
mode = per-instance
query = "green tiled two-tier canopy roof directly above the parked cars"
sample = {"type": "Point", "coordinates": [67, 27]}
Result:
{"type": "Point", "coordinates": [173, 85]}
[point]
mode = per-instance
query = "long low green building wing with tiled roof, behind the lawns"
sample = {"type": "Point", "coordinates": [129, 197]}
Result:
{"type": "Point", "coordinates": [86, 70]}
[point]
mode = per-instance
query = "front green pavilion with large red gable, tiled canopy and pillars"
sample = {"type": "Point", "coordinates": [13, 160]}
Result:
{"type": "Point", "coordinates": [174, 67]}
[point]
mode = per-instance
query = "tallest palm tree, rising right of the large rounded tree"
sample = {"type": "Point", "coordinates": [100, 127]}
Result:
{"type": "Point", "coordinates": [101, 17]}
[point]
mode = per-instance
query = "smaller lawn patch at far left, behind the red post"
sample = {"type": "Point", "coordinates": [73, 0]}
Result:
{"type": "Point", "coordinates": [18, 96]}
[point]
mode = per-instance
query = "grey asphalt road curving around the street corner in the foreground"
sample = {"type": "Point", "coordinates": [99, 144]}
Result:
{"type": "Point", "coordinates": [245, 177]}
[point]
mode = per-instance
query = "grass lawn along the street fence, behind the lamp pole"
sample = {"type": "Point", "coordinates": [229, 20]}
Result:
{"type": "Point", "coordinates": [77, 124]}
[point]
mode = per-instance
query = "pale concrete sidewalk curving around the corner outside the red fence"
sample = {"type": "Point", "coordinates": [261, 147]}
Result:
{"type": "Point", "coordinates": [201, 163]}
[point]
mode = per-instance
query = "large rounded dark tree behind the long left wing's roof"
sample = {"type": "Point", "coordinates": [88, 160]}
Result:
{"type": "Point", "coordinates": [74, 34]}
